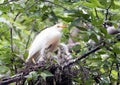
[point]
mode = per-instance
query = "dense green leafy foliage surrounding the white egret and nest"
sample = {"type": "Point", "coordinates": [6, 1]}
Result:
{"type": "Point", "coordinates": [21, 20]}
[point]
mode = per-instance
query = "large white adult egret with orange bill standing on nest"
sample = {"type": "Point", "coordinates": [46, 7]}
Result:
{"type": "Point", "coordinates": [46, 41]}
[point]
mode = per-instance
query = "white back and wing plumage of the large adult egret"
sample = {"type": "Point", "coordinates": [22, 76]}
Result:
{"type": "Point", "coordinates": [44, 39]}
